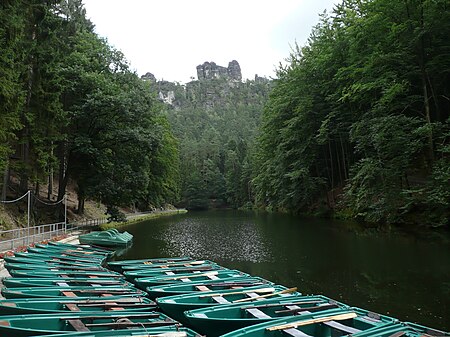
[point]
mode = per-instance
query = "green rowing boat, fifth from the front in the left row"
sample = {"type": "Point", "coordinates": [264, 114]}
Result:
{"type": "Point", "coordinates": [17, 282]}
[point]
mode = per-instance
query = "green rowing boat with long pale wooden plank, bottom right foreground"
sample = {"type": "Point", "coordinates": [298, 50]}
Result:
{"type": "Point", "coordinates": [330, 323]}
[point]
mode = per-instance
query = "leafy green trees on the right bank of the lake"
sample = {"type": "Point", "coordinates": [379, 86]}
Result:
{"type": "Point", "coordinates": [359, 119]}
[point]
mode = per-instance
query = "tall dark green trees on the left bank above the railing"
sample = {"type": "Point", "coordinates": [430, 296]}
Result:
{"type": "Point", "coordinates": [72, 110]}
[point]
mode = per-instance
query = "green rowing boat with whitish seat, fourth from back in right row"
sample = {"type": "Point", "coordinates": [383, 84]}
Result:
{"type": "Point", "coordinates": [145, 282]}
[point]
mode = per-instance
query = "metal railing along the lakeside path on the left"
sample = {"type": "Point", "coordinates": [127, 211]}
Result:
{"type": "Point", "coordinates": [14, 238]}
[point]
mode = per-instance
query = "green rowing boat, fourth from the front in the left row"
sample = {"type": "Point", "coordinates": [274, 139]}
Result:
{"type": "Point", "coordinates": [44, 292]}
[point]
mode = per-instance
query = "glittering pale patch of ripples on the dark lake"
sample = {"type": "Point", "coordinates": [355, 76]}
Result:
{"type": "Point", "coordinates": [240, 242]}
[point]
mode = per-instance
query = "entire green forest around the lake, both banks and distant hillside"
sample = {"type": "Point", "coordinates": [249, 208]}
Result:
{"type": "Point", "coordinates": [355, 124]}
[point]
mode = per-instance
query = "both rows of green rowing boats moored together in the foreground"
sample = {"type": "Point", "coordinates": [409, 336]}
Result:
{"type": "Point", "coordinates": [70, 290]}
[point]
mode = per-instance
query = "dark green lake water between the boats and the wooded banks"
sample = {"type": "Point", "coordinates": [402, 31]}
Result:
{"type": "Point", "coordinates": [399, 274]}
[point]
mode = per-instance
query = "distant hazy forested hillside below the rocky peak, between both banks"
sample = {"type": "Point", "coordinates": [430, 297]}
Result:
{"type": "Point", "coordinates": [215, 121]}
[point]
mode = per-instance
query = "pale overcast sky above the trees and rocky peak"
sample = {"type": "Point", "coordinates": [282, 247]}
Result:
{"type": "Point", "coordinates": [169, 38]}
